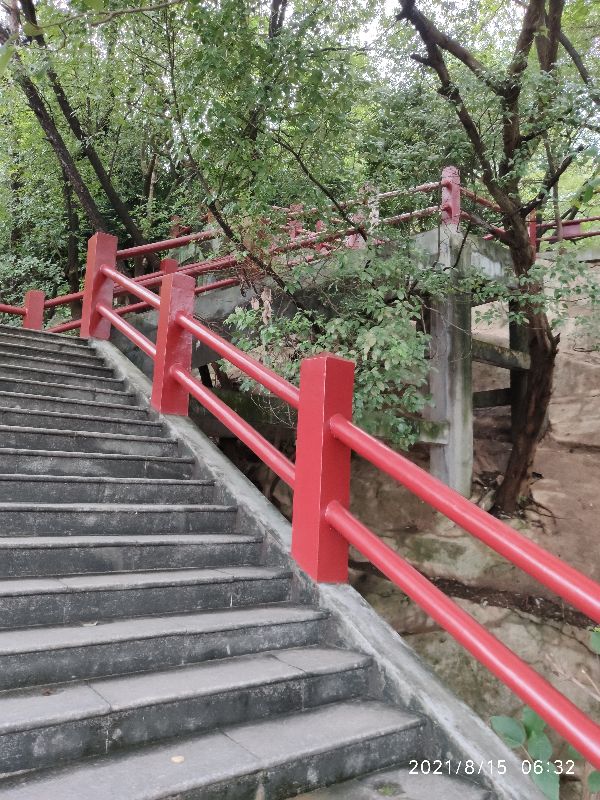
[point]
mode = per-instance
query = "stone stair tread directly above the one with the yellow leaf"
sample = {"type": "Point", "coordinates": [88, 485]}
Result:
{"type": "Point", "coordinates": [58, 703]}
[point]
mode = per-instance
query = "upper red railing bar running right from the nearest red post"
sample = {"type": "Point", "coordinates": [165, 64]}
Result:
{"type": "Point", "coordinates": [574, 587]}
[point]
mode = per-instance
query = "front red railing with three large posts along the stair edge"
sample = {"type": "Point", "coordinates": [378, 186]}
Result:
{"type": "Point", "coordinates": [322, 526]}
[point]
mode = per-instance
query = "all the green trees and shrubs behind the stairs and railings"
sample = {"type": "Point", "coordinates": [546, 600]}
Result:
{"type": "Point", "coordinates": [118, 118]}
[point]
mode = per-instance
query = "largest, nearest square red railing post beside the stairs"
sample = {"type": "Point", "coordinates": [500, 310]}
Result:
{"type": "Point", "coordinates": [322, 467]}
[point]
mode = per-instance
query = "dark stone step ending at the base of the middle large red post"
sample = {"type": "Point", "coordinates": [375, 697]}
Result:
{"type": "Point", "coordinates": [65, 405]}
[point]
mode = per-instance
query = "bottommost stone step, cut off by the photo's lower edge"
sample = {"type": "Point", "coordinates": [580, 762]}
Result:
{"type": "Point", "coordinates": [404, 784]}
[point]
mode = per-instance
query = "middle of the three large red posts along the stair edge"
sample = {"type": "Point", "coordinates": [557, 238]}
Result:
{"type": "Point", "coordinates": [173, 344]}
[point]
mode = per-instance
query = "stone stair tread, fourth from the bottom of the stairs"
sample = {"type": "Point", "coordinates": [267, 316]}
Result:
{"type": "Point", "coordinates": [18, 641]}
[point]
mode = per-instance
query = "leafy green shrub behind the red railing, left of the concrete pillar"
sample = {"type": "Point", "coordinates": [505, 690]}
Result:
{"type": "Point", "coordinates": [363, 308]}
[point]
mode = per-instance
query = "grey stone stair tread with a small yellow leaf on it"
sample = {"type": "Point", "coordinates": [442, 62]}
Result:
{"type": "Point", "coordinates": [151, 773]}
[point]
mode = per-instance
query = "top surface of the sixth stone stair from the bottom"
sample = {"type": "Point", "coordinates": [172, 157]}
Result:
{"type": "Point", "coordinates": [123, 540]}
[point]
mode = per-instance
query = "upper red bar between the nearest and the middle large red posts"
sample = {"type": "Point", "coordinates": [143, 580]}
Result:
{"type": "Point", "coordinates": [250, 366]}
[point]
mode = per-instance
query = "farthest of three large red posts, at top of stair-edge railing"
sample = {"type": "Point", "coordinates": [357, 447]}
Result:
{"type": "Point", "coordinates": [102, 252]}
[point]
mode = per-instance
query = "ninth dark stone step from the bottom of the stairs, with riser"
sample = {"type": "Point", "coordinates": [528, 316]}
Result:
{"type": "Point", "coordinates": [57, 462]}
